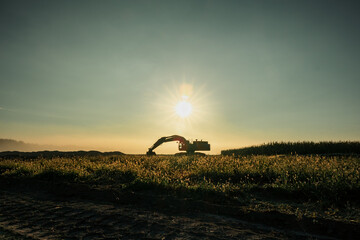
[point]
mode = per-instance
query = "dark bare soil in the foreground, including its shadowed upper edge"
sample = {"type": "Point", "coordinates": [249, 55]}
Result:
{"type": "Point", "coordinates": [59, 211]}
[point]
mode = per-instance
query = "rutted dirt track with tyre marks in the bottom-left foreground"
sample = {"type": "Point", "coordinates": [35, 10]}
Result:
{"type": "Point", "coordinates": [42, 216]}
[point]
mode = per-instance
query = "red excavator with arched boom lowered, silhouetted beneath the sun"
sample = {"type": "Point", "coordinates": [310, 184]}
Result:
{"type": "Point", "coordinates": [184, 145]}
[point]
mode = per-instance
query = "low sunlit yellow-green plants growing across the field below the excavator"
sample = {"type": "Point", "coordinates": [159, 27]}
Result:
{"type": "Point", "coordinates": [329, 182]}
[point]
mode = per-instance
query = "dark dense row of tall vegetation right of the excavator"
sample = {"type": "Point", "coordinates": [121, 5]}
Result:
{"type": "Point", "coordinates": [300, 148]}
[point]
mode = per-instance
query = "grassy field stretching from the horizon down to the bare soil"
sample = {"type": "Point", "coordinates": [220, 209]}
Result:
{"type": "Point", "coordinates": [306, 188]}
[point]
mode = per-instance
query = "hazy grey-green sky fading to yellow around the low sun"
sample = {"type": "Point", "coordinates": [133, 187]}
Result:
{"type": "Point", "coordinates": [107, 75]}
